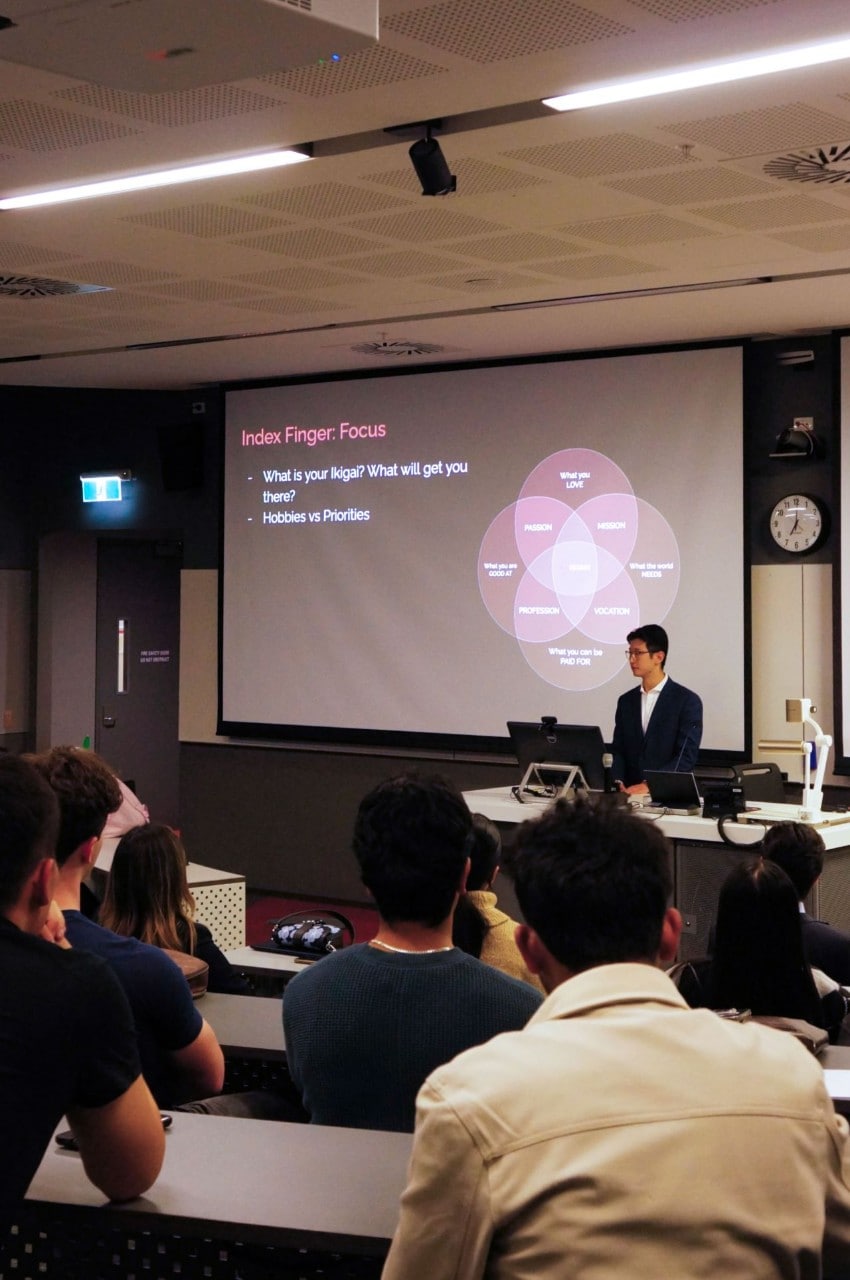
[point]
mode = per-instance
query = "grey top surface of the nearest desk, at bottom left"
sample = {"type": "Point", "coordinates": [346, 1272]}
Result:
{"type": "Point", "coordinates": [313, 1186]}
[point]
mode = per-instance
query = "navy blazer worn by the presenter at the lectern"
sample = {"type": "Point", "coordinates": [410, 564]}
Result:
{"type": "Point", "coordinates": [673, 738]}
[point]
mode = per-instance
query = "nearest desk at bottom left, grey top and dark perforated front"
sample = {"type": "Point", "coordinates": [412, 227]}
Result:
{"type": "Point", "coordinates": [236, 1199]}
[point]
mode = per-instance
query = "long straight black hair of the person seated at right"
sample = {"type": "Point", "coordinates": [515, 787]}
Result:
{"type": "Point", "coordinates": [758, 961]}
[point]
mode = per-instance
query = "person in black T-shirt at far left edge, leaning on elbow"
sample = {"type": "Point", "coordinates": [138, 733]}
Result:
{"type": "Point", "coordinates": [67, 1031]}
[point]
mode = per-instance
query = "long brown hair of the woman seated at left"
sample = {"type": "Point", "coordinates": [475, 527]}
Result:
{"type": "Point", "coordinates": [148, 894]}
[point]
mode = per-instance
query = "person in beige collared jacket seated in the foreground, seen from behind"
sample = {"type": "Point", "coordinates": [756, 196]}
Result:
{"type": "Point", "coordinates": [620, 1133]}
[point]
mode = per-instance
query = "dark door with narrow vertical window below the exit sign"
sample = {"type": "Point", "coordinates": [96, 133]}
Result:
{"type": "Point", "coordinates": [138, 669]}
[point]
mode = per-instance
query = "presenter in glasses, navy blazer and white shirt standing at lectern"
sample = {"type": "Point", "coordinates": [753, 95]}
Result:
{"type": "Point", "coordinates": [660, 725]}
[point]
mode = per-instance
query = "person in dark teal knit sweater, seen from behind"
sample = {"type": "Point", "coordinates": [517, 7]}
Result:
{"type": "Point", "coordinates": [364, 1027]}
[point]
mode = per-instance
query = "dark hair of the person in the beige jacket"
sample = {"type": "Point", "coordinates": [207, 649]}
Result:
{"type": "Point", "coordinates": [595, 883]}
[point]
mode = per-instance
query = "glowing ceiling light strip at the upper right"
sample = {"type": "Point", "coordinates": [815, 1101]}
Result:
{"type": "Point", "coordinates": [719, 74]}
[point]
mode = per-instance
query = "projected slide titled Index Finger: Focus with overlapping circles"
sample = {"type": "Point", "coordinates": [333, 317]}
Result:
{"type": "Point", "coordinates": [422, 557]}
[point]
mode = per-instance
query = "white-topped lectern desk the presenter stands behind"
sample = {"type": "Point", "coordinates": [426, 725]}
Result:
{"type": "Point", "coordinates": [702, 861]}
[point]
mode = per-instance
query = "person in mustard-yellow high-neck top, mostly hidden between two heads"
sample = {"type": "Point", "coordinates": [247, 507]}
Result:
{"type": "Point", "coordinates": [481, 929]}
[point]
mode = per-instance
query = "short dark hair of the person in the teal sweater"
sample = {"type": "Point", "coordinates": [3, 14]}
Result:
{"type": "Point", "coordinates": [412, 840]}
